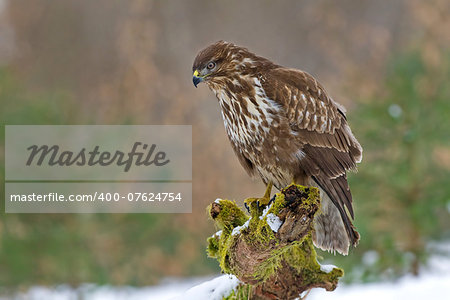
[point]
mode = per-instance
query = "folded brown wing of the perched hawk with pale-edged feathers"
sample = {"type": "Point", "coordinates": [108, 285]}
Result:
{"type": "Point", "coordinates": [320, 124]}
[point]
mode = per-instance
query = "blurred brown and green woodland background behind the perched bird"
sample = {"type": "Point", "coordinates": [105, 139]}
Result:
{"type": "Point", "coordinates": [129, 62]}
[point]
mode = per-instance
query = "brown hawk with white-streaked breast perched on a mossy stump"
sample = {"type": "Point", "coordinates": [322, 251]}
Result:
{"type": "Point", "coordinates": [284, 127]}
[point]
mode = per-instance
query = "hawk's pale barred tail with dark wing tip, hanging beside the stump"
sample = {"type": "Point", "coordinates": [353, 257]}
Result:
{"type": "Point", "coordinates": [334, 230]}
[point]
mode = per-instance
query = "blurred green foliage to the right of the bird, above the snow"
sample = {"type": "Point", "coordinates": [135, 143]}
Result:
{"type": "Point", "coordinates": [401, 188]}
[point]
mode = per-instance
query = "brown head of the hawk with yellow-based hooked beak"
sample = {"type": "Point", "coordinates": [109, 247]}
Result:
{"type": "Point", "coordinates": [224, 60]}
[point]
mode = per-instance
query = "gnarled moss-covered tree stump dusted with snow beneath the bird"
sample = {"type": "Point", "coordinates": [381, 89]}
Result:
{"type": "Point", "coordinates": [271, 252]}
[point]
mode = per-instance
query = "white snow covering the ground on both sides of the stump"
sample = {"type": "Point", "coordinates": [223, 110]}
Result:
{"type": "Point", "coordinates": [433, 283]}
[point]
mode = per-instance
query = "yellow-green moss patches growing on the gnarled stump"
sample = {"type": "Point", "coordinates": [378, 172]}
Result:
{"type": "Point", "coordinates": [300, 255]}
